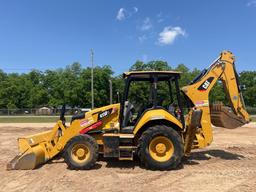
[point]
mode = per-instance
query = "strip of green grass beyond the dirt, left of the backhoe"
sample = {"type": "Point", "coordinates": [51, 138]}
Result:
{"type": "Point", "coordinates": [31, 119]}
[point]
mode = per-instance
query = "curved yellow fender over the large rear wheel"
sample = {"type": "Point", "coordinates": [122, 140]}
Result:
{"type": "Point", "coordinates": [156, 114]}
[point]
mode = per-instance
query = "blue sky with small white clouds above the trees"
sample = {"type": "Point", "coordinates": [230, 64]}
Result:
{"type": "Point", "coordinates": [51, 34]}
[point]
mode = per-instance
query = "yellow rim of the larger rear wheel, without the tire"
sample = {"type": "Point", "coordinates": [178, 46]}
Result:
{"type": "Point", "coordinates": [161, 148]}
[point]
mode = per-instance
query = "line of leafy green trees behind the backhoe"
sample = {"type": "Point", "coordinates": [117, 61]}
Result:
{"type": "Point", "coordinates": [72, 85]}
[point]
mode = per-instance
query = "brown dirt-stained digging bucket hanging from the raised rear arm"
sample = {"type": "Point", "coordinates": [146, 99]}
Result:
{"type": "Point", "coordinates": [221, 116]}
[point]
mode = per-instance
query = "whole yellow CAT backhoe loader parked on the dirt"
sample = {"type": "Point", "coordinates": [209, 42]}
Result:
{"type": "Point", "coordinates": [159, 130]}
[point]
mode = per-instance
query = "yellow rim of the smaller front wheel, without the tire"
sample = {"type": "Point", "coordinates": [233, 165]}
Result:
{"type": "Point", "coordinates": [80, 153]}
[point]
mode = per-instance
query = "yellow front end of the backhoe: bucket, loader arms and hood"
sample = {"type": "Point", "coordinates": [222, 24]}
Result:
{"type": "Point", "coordinates": [37, 149]}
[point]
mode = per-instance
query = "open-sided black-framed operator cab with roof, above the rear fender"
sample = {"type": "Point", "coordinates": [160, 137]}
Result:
{"type": "Point", "coordinates": [149, 90]}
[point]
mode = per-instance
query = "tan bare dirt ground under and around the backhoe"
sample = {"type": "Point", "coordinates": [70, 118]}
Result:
{"type": "Point", "coordinates": [229, 164]}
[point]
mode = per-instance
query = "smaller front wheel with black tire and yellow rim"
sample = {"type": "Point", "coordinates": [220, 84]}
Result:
{"type": "Point", "coordinates": [81, 152]}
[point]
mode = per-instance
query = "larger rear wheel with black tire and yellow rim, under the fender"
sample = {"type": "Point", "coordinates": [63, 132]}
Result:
{"type": "Point", "coordinates": [160, 148]}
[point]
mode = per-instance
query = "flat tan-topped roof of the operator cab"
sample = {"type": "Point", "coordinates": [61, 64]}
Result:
{"type": "Point", "coordinates": [164, 75]}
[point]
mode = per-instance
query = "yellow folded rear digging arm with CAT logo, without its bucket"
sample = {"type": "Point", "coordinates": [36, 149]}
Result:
{"type": "Point", "coordinates": [198, 90]}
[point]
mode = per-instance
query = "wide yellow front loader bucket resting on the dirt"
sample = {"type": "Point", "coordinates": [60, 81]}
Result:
{"type": "Point", "coordinates": [33, 151]}
